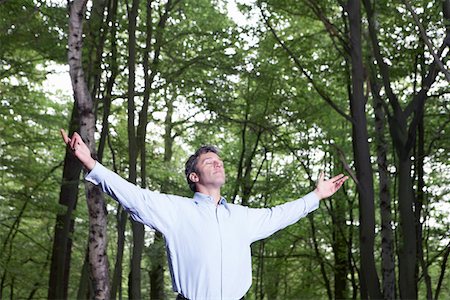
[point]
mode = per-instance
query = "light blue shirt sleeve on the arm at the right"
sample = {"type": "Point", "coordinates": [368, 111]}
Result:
{"type": "Point", "coordinates": [263, 222]}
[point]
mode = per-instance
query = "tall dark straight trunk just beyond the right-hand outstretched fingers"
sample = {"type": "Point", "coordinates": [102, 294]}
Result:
{"type": "Point", "coordinates": [370, 286]}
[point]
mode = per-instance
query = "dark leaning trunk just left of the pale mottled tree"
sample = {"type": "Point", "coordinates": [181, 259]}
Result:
{"type": "Point", "coordinates": [64, 228]}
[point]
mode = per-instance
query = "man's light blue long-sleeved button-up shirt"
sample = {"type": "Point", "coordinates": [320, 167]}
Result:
{"type": "Point", "coordinates": [208, 245]}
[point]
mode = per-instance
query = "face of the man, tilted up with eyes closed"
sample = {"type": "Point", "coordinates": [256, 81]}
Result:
{"type": "Point", "coordinates": [210, 170]}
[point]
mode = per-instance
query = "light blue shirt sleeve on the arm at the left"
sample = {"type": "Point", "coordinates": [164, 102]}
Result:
{"type": "Point", "coordinates": [150, 208]}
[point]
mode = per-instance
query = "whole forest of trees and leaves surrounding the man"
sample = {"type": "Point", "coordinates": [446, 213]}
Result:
{"type": "Point", "coordinates": [284, 89]}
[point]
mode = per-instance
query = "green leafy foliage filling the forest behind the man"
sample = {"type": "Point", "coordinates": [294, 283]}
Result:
{"type": "Point", "coordinates": [233, 87]}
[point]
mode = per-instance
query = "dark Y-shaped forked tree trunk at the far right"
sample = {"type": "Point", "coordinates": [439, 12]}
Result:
{"type": "Point", "coordinates": [403, 133]}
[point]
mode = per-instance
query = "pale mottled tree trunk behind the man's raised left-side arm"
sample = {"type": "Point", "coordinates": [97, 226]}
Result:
{"type": "Point", "coordinates": [98, 260]}
